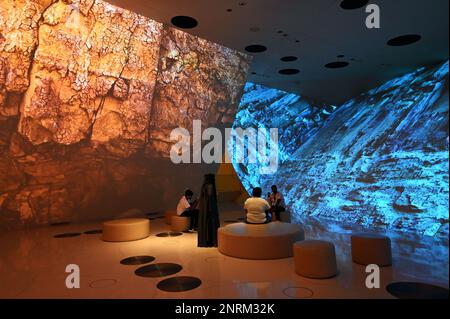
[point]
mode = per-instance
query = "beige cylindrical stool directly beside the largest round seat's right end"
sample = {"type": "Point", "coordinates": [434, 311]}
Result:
{"type": "Point", "coordinates": [315, 259]}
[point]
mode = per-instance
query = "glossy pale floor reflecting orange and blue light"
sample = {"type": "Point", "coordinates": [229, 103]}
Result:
{"type": "Point", "coordinates": [33, 263]}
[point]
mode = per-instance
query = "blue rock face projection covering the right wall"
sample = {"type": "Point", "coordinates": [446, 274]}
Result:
{"type": "Point", "coordinates": [379, 160]}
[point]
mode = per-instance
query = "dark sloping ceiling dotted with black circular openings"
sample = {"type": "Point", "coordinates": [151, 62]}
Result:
{"type": "Point", "coordinates": [317, 33]}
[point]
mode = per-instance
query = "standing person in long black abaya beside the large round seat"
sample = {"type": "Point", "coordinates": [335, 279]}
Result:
{"type": "Point", "coordinates": [208, 218]}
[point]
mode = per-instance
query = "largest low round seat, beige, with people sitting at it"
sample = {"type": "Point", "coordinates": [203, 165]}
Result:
{"type": "Point", "coordinates": [265, 241]}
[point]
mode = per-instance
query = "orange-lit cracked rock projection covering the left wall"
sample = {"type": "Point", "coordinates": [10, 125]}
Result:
{"type": "Point", "coordinates": [88, 96]}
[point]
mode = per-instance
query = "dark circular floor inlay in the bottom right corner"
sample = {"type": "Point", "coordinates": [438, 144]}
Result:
{"type": "Point", "coordinates": [416, 290]}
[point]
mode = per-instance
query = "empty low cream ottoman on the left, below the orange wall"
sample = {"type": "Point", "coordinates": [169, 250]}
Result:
{"type": "Point", "coordinates": [126, 229]}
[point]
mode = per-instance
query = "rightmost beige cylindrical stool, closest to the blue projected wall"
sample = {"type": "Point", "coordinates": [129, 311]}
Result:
{"type": "Point", "coordinates": [371, 249]}
